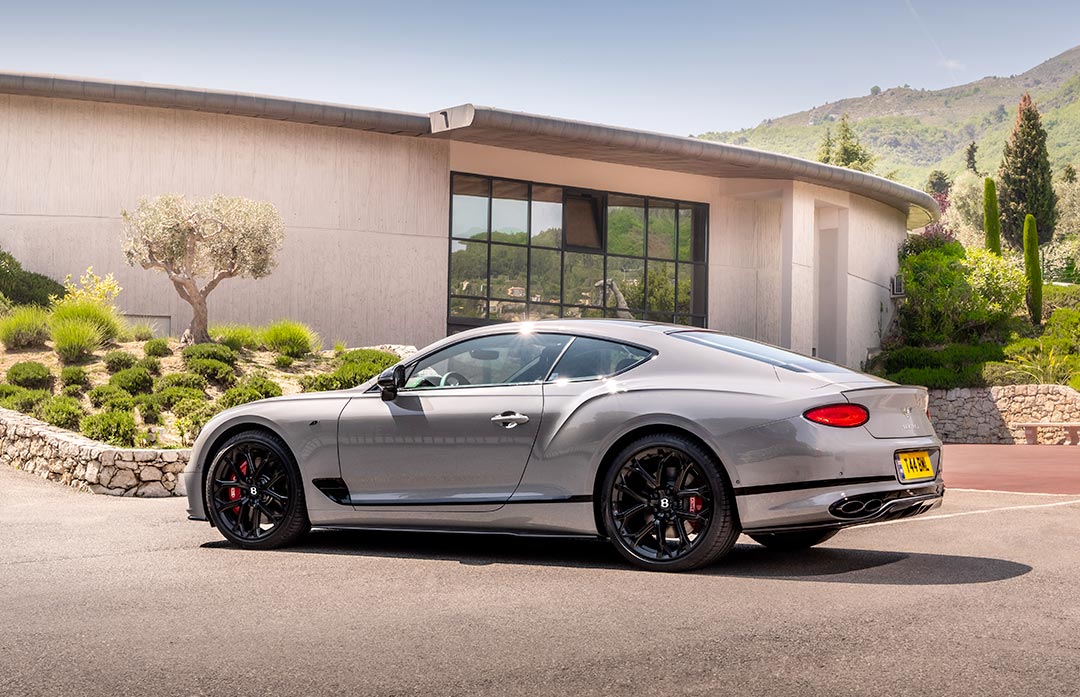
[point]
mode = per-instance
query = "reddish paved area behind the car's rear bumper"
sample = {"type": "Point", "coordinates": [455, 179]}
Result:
{"type": "Point", "coordinates": [1052, 470]}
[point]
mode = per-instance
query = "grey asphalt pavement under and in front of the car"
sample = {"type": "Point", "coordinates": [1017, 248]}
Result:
{"type": "Point", "coordinates": [112, 597]}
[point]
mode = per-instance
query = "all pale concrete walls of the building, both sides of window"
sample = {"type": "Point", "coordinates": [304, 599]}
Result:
{"type": "Point", "coordinates": [366, 259]}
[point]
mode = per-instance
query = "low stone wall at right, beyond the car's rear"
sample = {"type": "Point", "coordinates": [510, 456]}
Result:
{"type": "Point", "coordinates": [985, 414]}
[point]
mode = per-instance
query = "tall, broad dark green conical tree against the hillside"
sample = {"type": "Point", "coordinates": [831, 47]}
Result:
{"type": "Point", "coordinates": [1027, 180]}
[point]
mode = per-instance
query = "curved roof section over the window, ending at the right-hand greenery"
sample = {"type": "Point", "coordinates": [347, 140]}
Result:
{"type": "Point", "coordinates": [593, 141]}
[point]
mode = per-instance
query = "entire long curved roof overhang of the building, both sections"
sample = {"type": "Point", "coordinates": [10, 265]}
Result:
{"type": "Point", "coordinates": [497, 128]}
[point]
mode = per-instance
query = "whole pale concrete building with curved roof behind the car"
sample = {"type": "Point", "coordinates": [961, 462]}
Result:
{"type": "Point", "coordinates": [402, 227]}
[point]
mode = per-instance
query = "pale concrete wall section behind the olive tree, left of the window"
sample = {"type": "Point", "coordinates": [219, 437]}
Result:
{"type": "Point", "coordinates": [367, 215]}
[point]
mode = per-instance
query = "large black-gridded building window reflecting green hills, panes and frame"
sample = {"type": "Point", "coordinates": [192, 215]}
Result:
{"type": "Point", "coordinates": [521, 251]}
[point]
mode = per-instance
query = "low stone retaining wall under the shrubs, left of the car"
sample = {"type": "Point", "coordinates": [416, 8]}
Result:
{"type": "Point", "coordinates": [76, 461]}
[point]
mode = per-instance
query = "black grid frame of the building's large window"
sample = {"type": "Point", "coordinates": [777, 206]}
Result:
{"type": "Point", "coordinates": [697, 267]}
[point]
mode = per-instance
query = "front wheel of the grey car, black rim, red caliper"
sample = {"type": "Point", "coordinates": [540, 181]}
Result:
{"type": "Point", "coordinates": [271, 511]}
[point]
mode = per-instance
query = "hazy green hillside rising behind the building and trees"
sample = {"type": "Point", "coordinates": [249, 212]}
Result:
{"type": "Point", "coordinates": [915, 131]}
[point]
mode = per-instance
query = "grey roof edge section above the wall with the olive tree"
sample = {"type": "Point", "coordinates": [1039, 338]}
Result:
{"type": "Point", "coordinates": [217, 102]}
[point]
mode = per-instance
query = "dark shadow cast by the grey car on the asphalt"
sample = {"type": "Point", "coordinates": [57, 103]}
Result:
{"type": "Point", "coordinates": [822, 565]}
